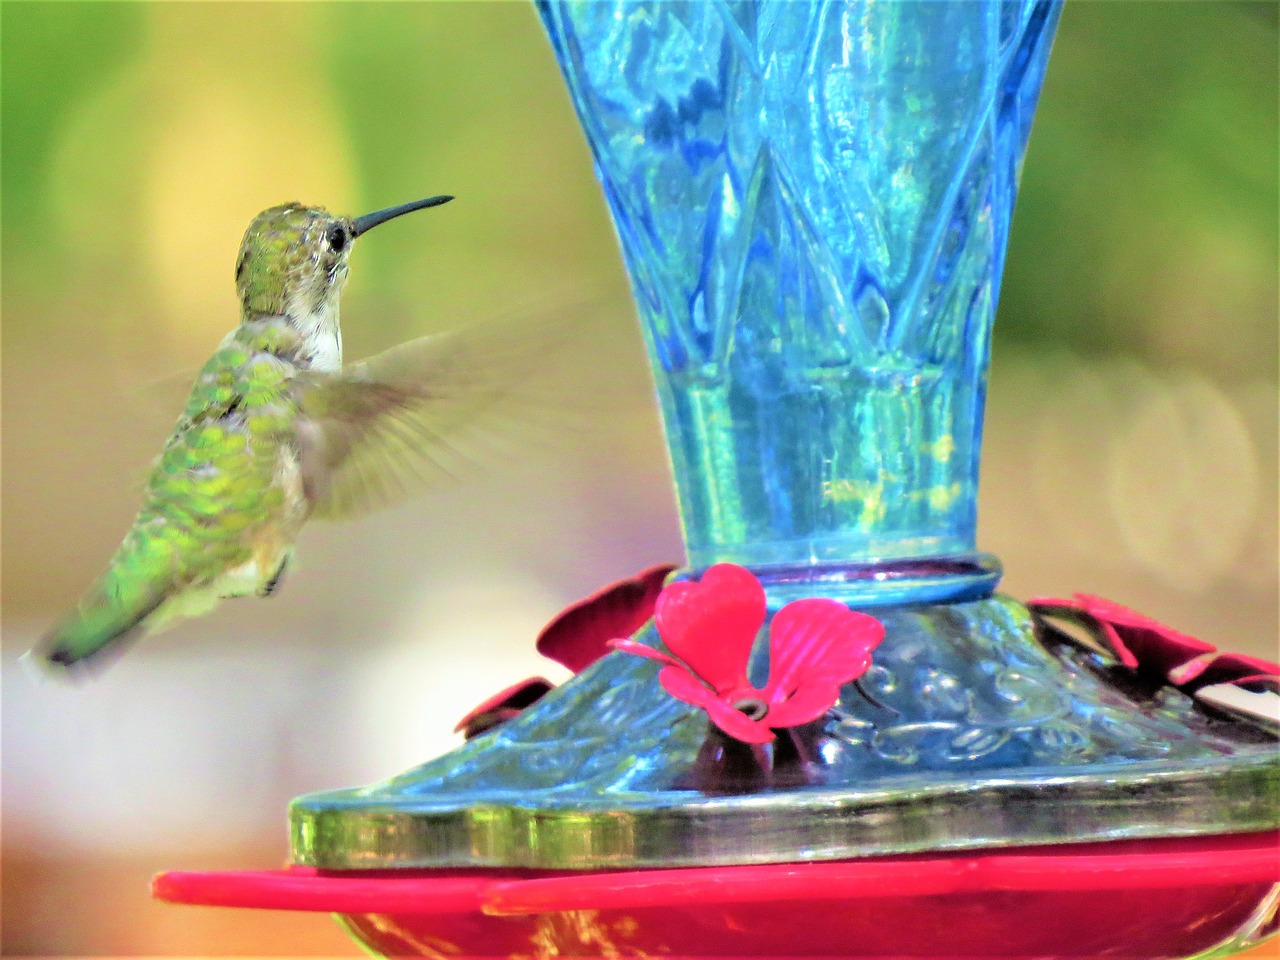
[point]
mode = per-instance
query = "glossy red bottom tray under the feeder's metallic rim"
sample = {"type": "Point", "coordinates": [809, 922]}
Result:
{"type": "Point", "coordinates": [1126, 899]}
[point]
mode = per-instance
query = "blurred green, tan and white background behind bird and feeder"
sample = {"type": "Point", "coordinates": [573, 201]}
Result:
{"type": "Point", "coordinates": [1131, 435]}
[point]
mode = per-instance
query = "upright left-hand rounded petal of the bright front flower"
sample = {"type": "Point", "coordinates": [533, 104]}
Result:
{"type": "Point", "coordinates": [712, 625]}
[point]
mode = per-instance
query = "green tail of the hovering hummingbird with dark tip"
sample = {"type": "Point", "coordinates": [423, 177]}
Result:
{"type": "Point", "coordinates": [106, 620]}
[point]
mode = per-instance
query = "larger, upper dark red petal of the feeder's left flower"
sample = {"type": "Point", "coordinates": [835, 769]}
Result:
{"type": "Point", "coordinates": [580, 634]}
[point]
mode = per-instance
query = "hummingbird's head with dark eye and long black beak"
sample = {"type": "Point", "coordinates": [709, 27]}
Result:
{"type": "Point", "coordinates": [294, 258]}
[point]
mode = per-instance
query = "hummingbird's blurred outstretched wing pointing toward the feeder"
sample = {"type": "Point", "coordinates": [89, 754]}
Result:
{"type": "Point", "coordinates": [422, 413]}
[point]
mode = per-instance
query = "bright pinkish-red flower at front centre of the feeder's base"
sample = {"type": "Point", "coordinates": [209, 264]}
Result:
{"type": "Point", "coordinates": [816, 646]}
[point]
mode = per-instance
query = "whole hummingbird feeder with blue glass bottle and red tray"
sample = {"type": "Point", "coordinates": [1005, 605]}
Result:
{"type": "Point", "coordinates": [826, 735]}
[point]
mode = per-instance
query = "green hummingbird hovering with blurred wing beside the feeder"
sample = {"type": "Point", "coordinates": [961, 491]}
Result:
{"type": "Point", "coordinates": [277, 432]}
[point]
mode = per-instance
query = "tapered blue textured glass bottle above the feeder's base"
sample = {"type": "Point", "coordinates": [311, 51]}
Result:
{"type": "Point", "coordinates": [813, 203]}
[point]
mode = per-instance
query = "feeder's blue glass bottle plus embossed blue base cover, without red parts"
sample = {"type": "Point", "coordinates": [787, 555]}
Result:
{"type": "Point", "coordinates": [813, 203]}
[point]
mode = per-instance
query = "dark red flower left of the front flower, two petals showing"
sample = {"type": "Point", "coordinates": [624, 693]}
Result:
{"type": "Point", "coordinates": [577, 639]}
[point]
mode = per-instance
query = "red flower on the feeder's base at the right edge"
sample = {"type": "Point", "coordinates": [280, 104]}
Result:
{"type": "Point", "coordinates": [1148, 646]}
